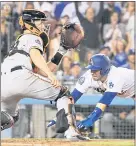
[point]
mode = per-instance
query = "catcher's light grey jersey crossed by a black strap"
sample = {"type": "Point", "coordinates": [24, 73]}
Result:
{"type": "Point", "coordinates": [25, 42]}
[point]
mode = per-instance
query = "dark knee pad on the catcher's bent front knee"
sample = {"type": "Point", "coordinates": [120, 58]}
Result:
{"type": "Point", "coordinates": [63, 92]}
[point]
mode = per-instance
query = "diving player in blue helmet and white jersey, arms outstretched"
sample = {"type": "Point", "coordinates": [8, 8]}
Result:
{"type": "Point", "coordinates": [106, 79]}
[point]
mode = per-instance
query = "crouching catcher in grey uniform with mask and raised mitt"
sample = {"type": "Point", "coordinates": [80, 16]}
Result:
{"type": "Point", "coordinates": [25, 72]}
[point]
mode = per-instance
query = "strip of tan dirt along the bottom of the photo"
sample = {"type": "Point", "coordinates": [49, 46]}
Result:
{"type": "Point", "coordinates": [58, 142]}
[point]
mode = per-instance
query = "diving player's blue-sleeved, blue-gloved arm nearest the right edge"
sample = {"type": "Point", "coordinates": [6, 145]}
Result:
{"type": "Point", "coordinates": [100, 107]}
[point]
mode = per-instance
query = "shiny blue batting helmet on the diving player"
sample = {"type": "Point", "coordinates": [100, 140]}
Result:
{"type": "Point", "coordinates": [100, 62]}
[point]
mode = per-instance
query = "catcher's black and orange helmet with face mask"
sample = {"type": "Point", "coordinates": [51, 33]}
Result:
{"type": "Point", "coordinates": [27, 21]}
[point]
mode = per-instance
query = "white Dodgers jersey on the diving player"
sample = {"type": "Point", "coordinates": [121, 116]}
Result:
{"type": "Point", "coordinates": [119, 80]}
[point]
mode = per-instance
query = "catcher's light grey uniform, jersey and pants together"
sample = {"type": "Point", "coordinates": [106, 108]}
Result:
{"type": "Point", "coordinates": [22, 83]}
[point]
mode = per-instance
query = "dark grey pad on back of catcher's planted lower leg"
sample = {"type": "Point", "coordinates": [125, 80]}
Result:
{"type": "Point", "coordinates": [62, 121]}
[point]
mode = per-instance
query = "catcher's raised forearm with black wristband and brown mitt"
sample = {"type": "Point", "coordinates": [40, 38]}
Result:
{"type": "Point", "coordinates": [71, 36]}
